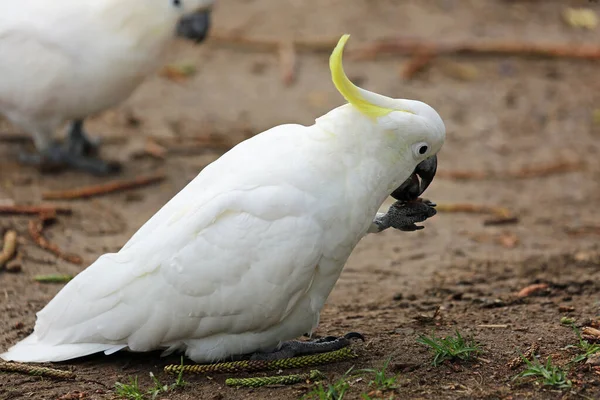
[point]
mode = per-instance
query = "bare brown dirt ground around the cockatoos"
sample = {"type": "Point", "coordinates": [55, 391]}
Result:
{"type": "Point", "coordinates": [504, 115]}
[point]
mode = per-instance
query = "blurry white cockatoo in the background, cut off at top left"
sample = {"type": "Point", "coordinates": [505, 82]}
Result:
{"type": "Point", "coordinates": [64, 60]}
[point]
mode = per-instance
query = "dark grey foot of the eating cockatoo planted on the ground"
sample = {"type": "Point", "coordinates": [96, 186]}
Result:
{"type": "Point", "coordinates": [295, 348]}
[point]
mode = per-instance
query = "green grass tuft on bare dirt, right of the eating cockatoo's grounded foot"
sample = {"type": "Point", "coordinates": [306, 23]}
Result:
{"type": "Point", "coordinates": [450, 347]}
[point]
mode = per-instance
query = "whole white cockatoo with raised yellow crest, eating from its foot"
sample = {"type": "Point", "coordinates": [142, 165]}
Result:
{"type": "Point", "coordinates": [242, 260]}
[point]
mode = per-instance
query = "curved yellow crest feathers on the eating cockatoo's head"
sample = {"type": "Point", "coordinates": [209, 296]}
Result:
{"type": "Point", "coordinates": [352, 93]}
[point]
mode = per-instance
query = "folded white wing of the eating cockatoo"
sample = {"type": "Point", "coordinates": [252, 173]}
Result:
{"type": "Point", "coordinates": [240, 268]}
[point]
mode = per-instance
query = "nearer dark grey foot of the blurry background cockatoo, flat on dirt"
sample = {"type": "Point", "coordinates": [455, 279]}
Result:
{"type": "Point", "coordinates": [56, 158]}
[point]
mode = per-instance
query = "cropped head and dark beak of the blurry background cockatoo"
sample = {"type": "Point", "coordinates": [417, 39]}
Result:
{"type": "Point", "coordinates": [194, 18]}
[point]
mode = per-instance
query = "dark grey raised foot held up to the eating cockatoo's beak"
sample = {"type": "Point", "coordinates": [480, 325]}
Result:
{"type": "Point", "coordinates": [404, 215]}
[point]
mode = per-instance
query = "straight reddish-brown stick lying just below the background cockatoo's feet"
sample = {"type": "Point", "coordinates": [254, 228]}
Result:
{"type": "Point", "coordinates": [97, 190]}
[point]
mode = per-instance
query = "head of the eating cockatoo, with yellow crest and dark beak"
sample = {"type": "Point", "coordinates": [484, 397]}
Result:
{"type": "Point", "coordinates": [418, 128]}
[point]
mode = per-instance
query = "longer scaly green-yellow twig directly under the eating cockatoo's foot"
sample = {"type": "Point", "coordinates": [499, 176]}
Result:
{"type": "Point", "coordinates": [263, 365]}
